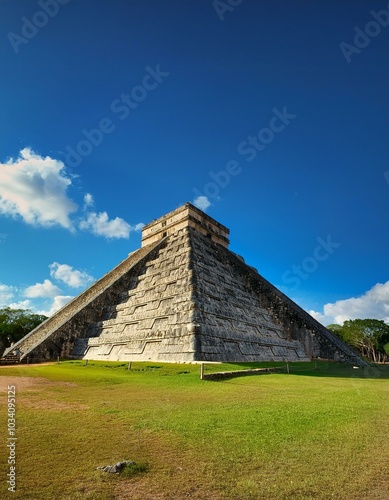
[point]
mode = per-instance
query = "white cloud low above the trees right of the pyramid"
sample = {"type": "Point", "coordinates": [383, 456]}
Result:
{"type": "Point", "coordinates": [372, 304]}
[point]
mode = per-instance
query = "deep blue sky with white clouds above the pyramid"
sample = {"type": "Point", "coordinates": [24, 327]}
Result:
{"type": "Point", "coordinates": [272, 115]}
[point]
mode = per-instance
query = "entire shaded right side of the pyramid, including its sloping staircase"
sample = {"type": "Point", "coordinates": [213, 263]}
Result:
{"type": "Point", "coordinates": [240, 316]}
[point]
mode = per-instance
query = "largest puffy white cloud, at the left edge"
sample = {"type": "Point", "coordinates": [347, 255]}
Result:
{"type": "Point", "coordinates": [34, 188]}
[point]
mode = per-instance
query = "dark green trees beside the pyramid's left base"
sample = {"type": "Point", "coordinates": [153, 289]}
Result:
{"type": "Point", "coordinates": [15, 324]}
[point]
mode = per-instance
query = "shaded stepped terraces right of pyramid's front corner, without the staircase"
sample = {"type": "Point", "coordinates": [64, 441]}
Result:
{"type": "Point", "coordinates": [232, 324]}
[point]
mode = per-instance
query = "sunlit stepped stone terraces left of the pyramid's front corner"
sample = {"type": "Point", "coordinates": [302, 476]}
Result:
{"type": "Point", "coordinates": [153, 320]}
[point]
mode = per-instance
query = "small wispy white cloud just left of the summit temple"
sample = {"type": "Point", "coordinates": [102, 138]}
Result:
{"type": "Point", "coordinates": [100, 225]}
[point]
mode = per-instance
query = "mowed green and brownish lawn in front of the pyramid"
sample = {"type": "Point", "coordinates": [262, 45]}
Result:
{"type": "Point", "coordinates": [309, 434]}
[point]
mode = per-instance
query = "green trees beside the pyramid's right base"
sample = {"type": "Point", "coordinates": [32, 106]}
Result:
{"type": "Point", "coordinates": [369, 336]}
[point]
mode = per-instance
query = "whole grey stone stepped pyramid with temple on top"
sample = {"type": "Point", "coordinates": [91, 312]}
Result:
{"type": "Point", "coordinates": [183, 297]}
